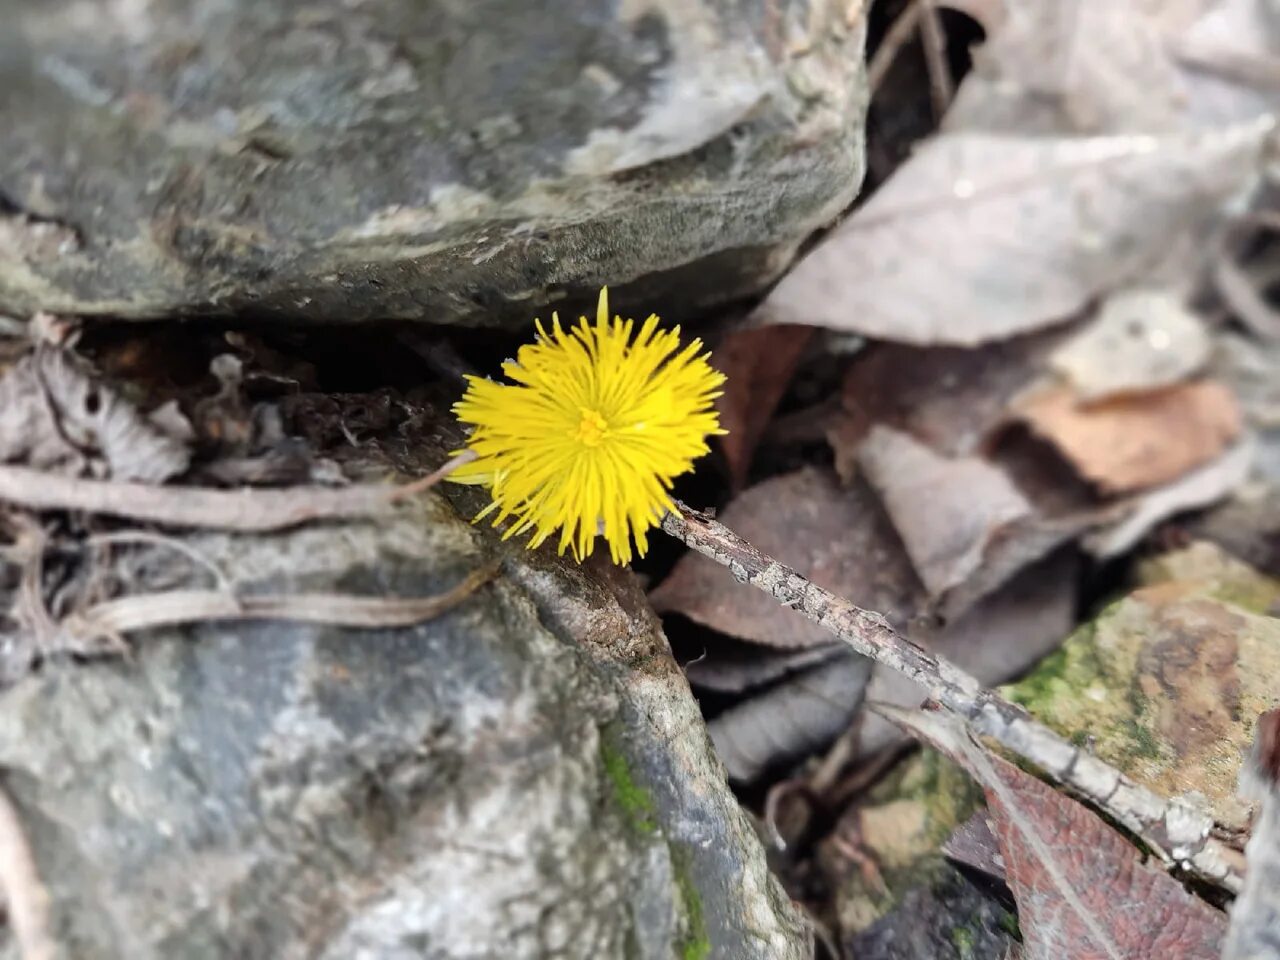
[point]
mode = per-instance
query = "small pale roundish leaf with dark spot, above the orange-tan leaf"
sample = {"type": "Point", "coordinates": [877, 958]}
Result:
{"type": "Point", "coordinates": [1141, 340]}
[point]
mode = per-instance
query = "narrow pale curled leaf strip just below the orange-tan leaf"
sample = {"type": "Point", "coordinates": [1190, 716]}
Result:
{"type": "Point", "coordinates": [1200, 488]}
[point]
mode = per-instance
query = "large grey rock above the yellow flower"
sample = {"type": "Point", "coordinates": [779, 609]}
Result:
{"type": "Point", "coordinates": [447, 162]}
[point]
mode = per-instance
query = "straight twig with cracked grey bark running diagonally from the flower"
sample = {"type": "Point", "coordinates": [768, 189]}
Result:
{"type": "Point", "coordinates": [1178, 833]}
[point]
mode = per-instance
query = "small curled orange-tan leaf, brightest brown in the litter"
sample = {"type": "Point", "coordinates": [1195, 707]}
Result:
{"type": "Point", "coordinates": [1132, 444]}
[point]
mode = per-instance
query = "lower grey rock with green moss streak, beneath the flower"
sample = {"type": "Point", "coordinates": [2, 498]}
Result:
{"type": "Point", "coordinates": [527, 776]}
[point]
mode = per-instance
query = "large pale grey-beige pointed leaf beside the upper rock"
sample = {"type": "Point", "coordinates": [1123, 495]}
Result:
{"type": "Point", "coordinates": [982, 237]}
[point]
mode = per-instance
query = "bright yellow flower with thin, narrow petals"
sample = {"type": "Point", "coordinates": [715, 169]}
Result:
{"type": "Point", "coordinates": [592, 433]}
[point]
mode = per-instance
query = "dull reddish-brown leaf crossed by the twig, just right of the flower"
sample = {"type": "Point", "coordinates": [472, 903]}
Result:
{"type": "Point", "coordinates": [838, 538]}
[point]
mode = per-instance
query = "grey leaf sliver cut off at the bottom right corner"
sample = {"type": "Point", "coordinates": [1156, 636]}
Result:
{"type": "Point", "coordinates": [1256, 915]}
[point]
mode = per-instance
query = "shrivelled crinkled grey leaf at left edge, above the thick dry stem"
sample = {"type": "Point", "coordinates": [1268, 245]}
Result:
{"type": "Point", "coordinates": [54, 415]}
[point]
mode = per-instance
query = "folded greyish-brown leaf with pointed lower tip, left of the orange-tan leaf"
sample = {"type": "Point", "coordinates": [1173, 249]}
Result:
{"type": "Point", "coordinates": [947, 511]}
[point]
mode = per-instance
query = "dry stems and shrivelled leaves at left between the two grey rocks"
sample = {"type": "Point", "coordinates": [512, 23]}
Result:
{"type": "Point", "coordinates": [76, 451]}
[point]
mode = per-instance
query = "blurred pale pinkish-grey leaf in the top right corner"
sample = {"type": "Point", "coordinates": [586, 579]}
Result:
{"type": "Point", "coordinates": [1099, 66]}
